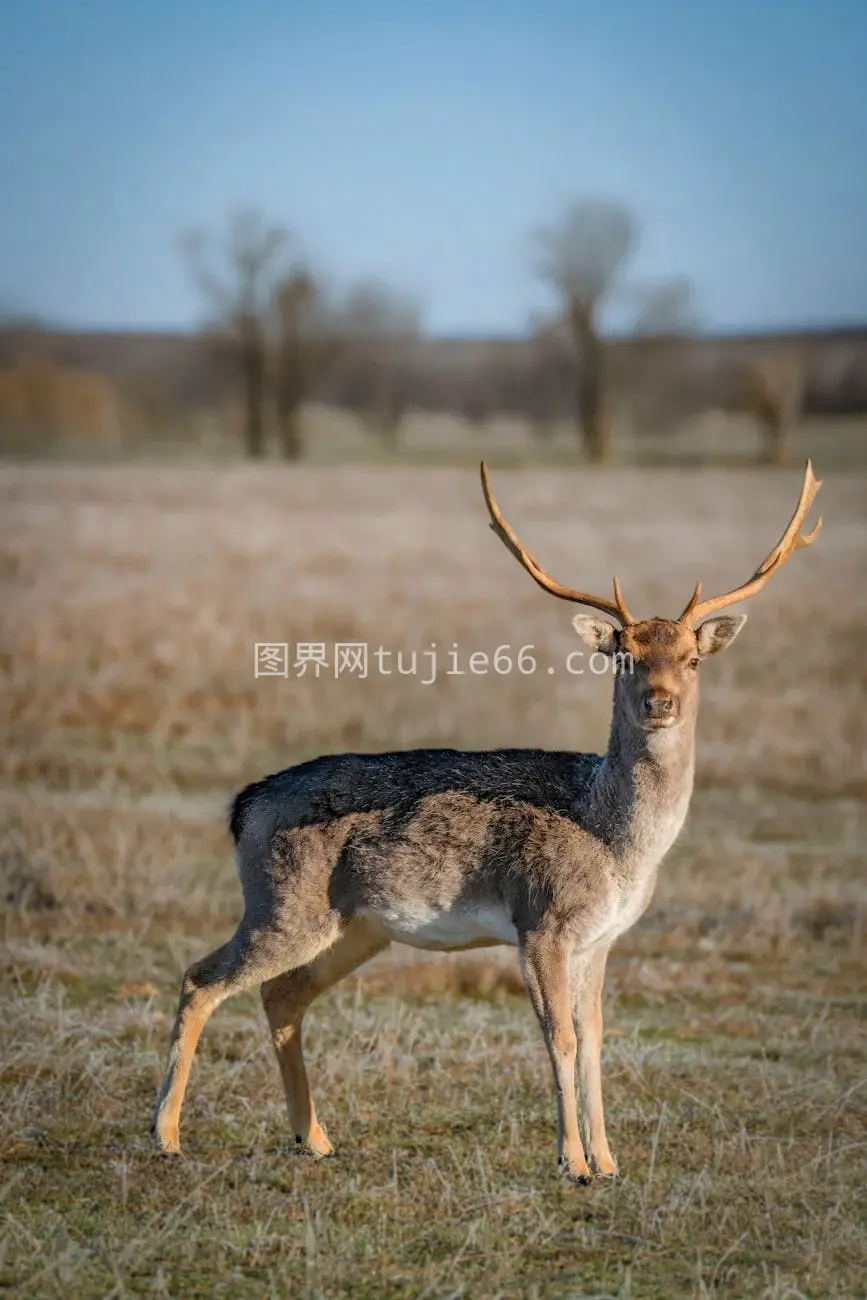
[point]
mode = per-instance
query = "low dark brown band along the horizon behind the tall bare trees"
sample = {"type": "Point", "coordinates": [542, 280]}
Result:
{"type": "Point", "coordinates": [92, 384]}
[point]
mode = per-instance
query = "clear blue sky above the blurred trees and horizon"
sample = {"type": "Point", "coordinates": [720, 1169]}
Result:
{"type": "Point", "coordinates": [422, 142]}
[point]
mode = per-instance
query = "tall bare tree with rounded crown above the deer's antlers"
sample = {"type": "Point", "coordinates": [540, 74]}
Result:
{"type": "Point", "coordinates": [582, 255]}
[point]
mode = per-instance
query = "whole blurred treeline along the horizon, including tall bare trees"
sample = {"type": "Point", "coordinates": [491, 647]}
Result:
{"type": "Point", "coordinates": [279, 336]}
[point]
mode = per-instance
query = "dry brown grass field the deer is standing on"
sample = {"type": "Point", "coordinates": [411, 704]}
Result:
{"type": "Point", "coordinates": [736, 1055]}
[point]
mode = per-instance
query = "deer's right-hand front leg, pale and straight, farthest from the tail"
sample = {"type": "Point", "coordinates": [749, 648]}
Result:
{"type": "Point", "coordinates": [588, 977]}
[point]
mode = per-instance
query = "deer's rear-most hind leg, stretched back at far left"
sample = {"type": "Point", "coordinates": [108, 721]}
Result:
{"type": "Point", "coordinates": [249, 959]}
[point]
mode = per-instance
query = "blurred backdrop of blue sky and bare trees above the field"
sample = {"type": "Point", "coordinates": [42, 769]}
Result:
{"type": "Point", "coordinates": [556, 232]}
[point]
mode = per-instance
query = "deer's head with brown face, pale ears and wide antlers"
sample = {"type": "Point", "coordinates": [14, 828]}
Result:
{"type": "Point", "coordinates": [657, 660]}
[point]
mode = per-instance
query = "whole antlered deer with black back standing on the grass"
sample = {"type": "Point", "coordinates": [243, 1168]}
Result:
{"type": "Point", "coordinates": [553, 853]}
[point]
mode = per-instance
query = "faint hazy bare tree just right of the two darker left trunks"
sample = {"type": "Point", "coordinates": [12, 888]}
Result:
{"type": "Point", "coordinates": [382, 326]}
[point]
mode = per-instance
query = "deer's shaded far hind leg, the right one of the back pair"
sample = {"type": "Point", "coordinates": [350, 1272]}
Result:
{"type": "Point", "coordinates": [287, 999]}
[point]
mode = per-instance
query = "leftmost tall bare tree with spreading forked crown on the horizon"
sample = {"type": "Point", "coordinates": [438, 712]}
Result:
{"type": "Point", "coordinates": [237, 276]}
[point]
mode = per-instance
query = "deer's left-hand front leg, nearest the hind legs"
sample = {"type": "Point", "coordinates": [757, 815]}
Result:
{"type": "Point", "coordinates": [545, 964]}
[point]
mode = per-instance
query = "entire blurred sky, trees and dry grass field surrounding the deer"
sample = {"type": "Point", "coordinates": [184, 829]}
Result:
{"type": "Point", "coordinates": [274, 278]}
